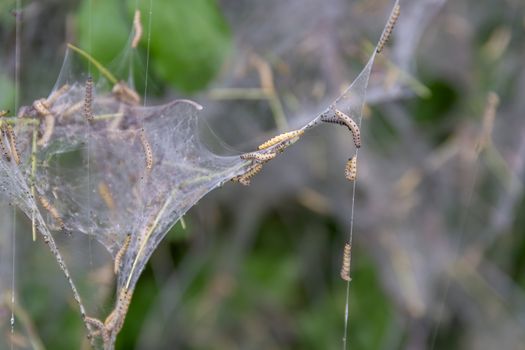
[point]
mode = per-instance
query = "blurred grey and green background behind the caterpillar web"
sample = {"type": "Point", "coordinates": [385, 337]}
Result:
{"type": "Point", "coordinates": [439, 236]}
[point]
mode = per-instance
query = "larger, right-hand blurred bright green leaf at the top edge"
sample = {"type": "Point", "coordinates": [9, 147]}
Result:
{"type": "Point", "coordinates": [189, 41]}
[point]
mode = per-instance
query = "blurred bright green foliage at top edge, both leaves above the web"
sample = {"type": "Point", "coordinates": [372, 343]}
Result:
{"type": "Point", "coordinates": [189, 39]}
